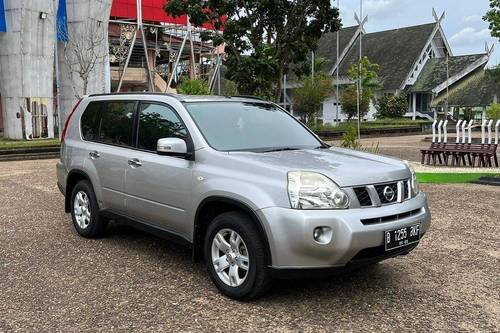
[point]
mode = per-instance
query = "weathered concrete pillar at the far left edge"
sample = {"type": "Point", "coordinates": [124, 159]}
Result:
{"type": "Point", "coordinates": [26, 64]}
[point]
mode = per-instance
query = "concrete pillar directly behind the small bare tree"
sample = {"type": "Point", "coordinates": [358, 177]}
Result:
{"type": "Point", "coordinates": [83, 15]}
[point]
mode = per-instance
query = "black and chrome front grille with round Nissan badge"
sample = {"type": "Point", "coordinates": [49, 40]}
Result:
{"type": "Point", "coordinates": [382, 194]}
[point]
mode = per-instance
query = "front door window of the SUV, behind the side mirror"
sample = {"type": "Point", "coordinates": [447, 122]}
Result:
{"type": "Point", "coordinates": [156, 122]}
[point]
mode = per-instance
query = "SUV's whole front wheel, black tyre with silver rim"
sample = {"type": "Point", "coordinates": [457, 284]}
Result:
{"type": "Point", "coordinates": [256, 279]}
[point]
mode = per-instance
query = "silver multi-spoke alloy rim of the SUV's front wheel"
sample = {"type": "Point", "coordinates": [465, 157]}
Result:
{"type": "Point", "coordinates": [230, 257]}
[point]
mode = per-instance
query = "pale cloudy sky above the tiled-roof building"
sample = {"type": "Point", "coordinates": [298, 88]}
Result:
{"type": "Point", "coordinates": [463, 25]}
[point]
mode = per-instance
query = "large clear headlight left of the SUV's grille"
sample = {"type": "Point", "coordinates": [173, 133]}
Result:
{"type": "Point", "coordinates": [311, 190]}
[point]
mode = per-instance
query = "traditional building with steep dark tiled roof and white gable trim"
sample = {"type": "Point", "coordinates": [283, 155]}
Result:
{"type": "Point", "coordinates": [416, 60]}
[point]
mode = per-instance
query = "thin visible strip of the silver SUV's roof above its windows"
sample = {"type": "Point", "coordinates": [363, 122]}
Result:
{"type": "Point", "coordinates": [188, 98]}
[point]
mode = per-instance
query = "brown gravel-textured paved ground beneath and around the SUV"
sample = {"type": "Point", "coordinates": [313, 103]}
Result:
{"type": "Point", "coordinates": [53, 280]}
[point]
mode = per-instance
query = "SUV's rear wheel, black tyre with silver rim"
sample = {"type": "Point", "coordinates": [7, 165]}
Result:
{"type": "Point", "coordinates": [89, 225]}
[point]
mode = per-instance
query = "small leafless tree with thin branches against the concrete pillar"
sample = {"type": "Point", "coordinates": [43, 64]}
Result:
{"type": "Point", "coordinates": [85, 48]}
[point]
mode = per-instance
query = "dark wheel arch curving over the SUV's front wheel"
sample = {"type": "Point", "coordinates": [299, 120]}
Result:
{"type": "Point", "coordinates": [212, 206]}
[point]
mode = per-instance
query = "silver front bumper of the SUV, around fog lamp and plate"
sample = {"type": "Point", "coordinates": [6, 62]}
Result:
{"type": "Point", "coordinates": [292, 246]}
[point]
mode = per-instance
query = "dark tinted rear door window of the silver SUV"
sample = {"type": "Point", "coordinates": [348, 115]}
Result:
{"type": "Point", "coordinates": [116, 124]}
